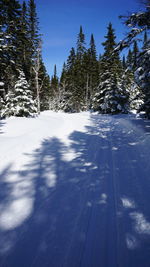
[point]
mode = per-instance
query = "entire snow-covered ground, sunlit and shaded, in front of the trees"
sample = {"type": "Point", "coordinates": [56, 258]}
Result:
{"type": "Point", "coordinates": [75, 191]}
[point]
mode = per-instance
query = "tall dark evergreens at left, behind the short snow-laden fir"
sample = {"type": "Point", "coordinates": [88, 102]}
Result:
{"type": "Point", "coordinates": [19, 42]}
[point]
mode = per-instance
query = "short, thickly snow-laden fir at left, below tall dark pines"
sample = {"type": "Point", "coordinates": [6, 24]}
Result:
{"type": "Point", "coordinates": [20, 103]}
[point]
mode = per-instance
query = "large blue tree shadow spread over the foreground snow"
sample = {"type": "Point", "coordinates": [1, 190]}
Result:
{"type": "Point", "coordinates": [72, 207]}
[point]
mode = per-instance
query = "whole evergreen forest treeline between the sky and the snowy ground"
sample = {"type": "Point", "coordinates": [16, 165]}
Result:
{"type": "Point", "coordinates": [106, 83]}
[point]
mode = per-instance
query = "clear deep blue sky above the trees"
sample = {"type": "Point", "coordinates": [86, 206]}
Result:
{"type": "Point", "coordinates": [60, 21]}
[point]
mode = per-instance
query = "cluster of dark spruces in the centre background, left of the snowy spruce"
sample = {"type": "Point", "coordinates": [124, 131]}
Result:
{"type": "Point", "coordinates": [80, 76]}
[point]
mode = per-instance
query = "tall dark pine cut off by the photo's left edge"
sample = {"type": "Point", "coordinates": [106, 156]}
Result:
{"type": "Point", "coordinates": [9, 21]}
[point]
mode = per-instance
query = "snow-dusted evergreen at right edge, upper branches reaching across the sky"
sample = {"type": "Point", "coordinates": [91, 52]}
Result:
{"type": "Point", "coordinates": [139, 22]}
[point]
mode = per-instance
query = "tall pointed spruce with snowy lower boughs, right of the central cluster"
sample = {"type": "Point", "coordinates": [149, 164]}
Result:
{"type": "Point", "coordinates": [112, 95]}
